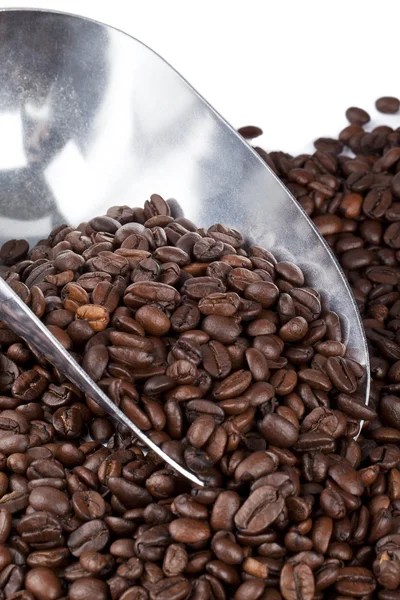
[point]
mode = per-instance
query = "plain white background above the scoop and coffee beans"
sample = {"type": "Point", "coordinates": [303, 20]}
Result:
{"type": "Point", "coordinates": [289, 66]}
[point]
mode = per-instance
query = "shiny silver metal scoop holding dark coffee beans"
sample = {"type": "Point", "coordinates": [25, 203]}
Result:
{"type": "Point", "coordinates": [89, 118]}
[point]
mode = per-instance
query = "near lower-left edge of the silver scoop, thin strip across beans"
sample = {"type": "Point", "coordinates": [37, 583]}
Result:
{"type": "Point", "coordinates": [15, 313]}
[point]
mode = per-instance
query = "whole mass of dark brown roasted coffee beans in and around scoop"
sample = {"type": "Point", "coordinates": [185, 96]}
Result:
{"type": "Point", "coordinates": [226, 358]}
